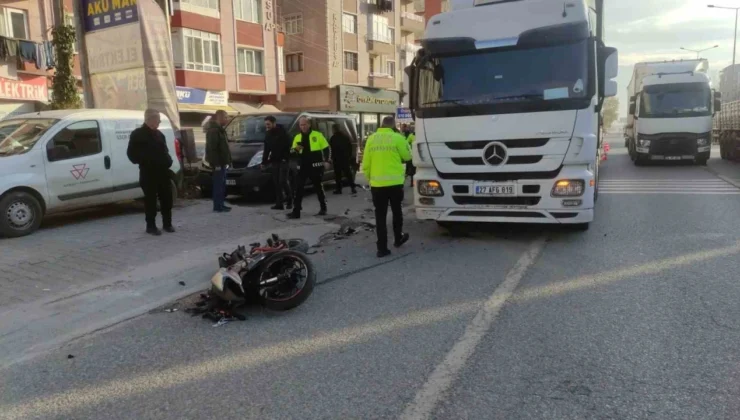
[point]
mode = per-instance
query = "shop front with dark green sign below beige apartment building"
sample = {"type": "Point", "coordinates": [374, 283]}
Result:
{"type": "Point", "coordinates": [367, 105]}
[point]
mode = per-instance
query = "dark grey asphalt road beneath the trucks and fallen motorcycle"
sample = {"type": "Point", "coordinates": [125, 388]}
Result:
{"type": "Point", "coordinates": [636, 318]}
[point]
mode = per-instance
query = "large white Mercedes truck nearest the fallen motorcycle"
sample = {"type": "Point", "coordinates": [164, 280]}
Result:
{"type": "Point", "coordinates": [507, 97]}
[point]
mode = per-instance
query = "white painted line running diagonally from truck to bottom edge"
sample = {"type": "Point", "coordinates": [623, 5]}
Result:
{"type": "Point", "coordinates": [446, 372]}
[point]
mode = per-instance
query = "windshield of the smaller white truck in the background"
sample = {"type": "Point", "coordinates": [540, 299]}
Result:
{"type": "Point", "coordinates": [676, 100]}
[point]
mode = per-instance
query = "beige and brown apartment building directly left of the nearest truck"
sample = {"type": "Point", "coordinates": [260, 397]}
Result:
{"type": "Point", "coordinates": [348, 55]}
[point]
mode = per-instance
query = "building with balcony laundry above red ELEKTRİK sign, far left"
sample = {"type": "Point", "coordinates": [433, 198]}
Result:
{"type": "Point", "coordinates": [24, 87]}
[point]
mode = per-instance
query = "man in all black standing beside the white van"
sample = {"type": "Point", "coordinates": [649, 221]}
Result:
{"type": "Point", "coordinates": [147, 148]}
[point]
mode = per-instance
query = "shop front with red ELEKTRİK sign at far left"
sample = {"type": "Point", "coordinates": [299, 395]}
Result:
{"type": "Point", "coordinates": [23, 95]}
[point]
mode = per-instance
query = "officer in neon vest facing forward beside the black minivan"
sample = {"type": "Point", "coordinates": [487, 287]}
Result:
{"type": "Point", "coordinates": [313, 151]}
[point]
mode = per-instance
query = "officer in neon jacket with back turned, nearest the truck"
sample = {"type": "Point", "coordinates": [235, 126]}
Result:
{"type": "Point", "coordinates": [383, 163]}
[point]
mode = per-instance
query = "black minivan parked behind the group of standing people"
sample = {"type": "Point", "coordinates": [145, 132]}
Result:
{"type": "Point", "coordinates": [246, 136]}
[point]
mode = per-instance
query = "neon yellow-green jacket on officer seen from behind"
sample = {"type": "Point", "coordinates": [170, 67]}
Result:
{"type": "Point", "coordinates": [384, 158]}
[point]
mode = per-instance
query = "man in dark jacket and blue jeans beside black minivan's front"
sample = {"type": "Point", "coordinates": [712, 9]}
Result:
{"type": "Point", "coordinates": [218, 156]}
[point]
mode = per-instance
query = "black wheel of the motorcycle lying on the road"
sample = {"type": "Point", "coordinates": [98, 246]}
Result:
{"type": "Point", "coordinates": [299, 280]}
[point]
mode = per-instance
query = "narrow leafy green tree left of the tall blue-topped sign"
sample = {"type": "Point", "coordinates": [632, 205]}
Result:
{"type": "Point", "coordinates": [64, 83]}
